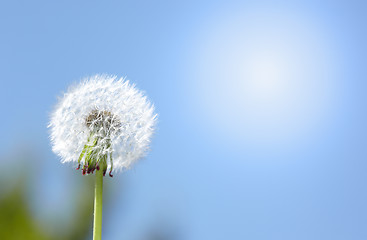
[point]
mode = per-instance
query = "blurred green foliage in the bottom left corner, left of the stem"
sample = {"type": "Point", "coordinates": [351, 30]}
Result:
{"type": "Point", "coordinates": [18, 223]}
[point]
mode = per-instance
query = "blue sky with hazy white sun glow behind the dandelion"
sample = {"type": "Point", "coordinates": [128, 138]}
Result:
{"type": "Point", "coordinates": [262, 120]}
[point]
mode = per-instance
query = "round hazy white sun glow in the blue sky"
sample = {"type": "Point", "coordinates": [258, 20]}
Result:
{"type": "Point", "coordinates": [262, 77]}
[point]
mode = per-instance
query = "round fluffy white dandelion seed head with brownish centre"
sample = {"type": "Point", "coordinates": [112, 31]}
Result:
{"type": "Point", "coordinates": [102, 119]}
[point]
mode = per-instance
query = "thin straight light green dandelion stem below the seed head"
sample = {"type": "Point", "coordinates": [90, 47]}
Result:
{"type": "Point", "coordinates": [97, 226]}
